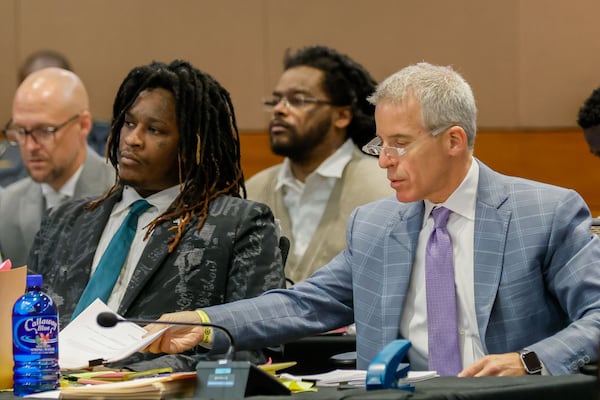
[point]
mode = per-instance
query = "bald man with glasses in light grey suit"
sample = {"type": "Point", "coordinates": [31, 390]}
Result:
{"type": "Point", "coordinates": [50, 124]}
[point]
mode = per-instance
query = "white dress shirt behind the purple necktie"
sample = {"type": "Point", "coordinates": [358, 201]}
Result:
{"type": "Point", "coordinates": [461, 227]}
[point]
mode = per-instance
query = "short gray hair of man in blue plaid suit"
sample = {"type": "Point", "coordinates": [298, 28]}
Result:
{"type": "Point", "coordinates": [445, 97]}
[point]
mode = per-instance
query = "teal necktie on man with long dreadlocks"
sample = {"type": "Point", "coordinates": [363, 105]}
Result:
{"type": "Point", "coordinates": [108, 270]}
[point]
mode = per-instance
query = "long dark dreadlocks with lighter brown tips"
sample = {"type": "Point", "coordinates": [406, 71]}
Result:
{"type": "Point", "coordinates": [209, 144]}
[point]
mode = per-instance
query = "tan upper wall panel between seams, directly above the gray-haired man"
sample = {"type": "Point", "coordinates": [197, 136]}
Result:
{"type": "Point", "coordinates": [477, 38]}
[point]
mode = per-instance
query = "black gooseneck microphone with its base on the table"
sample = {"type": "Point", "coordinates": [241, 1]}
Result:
{"type": "Point", "coordinates": [218, 380]}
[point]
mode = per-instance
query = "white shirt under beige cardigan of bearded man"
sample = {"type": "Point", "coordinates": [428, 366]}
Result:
{"type": "Point", "coordinates": [306, 201]}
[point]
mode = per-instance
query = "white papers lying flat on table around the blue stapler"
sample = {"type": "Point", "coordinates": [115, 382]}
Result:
{"type": "Point", "coordinates": [355, 377]}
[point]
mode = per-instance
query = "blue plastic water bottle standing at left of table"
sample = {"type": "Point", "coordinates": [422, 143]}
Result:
{"type": "Point", "coordinates": [35, 341]}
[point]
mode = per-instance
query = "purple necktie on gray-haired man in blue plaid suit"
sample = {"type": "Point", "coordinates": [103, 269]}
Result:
{"type": "Point", "coordinates": [444, 350]}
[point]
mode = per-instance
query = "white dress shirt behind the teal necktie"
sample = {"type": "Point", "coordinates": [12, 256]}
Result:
{"type": "Point", "coordinates": [159, 203]}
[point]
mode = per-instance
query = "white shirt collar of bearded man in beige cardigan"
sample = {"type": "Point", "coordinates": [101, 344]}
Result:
{"type": "Point", "coordinates": [332, 167]}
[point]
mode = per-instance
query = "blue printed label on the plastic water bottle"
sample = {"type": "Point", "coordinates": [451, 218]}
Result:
{"type": "Point", "coordinates": [35, 335]}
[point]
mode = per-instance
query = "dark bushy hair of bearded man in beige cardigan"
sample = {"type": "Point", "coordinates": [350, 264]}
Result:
{"type": "Point", "coordinates": [346, 82]}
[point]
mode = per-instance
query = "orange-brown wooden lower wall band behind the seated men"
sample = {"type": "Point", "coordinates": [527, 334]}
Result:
{"type": "Point", "coordinates": [557, 157]}
